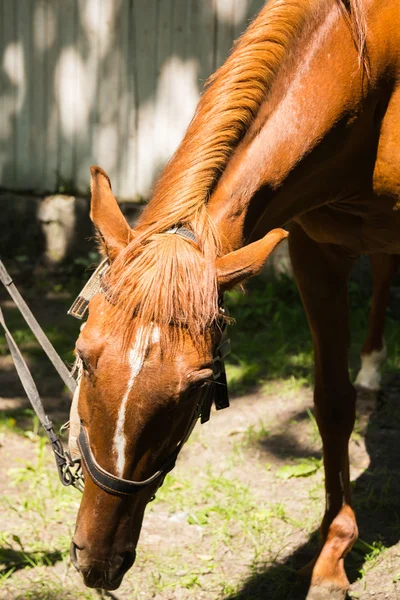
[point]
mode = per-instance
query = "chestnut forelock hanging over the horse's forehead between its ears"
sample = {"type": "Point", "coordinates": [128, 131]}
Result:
{"type": "Point", "coordinates": [167, 281]}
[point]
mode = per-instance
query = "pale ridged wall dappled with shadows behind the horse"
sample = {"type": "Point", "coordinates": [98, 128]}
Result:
{"type": "Point", "coordinates": [111, 82]}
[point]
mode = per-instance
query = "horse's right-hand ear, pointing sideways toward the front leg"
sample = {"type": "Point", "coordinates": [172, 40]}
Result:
{"type": "Point", "coordinates": [235, 267]}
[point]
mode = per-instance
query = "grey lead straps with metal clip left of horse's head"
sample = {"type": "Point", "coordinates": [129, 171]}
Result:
{"type": "Point", "coordinates": [69, 470]}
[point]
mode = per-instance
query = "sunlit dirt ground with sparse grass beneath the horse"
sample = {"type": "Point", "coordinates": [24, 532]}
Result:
{"type": "Point", "coordinates": [235, 520]}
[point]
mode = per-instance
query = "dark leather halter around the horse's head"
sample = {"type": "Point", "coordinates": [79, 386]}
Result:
{"type": "Point", "coordinates": [124, 487]}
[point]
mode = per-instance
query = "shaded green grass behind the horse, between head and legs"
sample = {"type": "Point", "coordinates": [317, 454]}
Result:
{"type": "Point", "coordinates": [271, 340]}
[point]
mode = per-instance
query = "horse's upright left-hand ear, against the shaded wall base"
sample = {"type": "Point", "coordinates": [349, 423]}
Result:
{"type": "Point", "coordinates": [106, 215]}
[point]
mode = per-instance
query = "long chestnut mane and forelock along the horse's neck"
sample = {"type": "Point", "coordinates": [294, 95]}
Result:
{"type": "Point", "coordinates": [159, 277]}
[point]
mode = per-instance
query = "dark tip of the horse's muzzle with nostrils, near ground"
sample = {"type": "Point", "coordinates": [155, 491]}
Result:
{"type": "Point", "coordinates": [103, 574]}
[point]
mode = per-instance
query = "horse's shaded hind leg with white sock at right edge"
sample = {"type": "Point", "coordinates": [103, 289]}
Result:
{"type": "Point", "coordinates": [373, 353]}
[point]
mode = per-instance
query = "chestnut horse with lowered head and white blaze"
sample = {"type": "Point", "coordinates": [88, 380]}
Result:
{"type": "Point", "coordinates": [301, 125]}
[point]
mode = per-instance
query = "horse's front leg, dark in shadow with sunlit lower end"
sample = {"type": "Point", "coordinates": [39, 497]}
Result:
{"type": "Point", "coordinates": [321, 273]}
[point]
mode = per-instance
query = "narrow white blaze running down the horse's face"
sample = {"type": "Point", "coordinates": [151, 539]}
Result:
{"type": "Point", "coordinates": [136, 360]}
